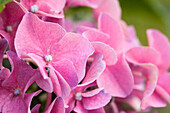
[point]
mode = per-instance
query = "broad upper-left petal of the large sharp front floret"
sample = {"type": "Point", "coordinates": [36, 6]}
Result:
{"type": "Point", "coordinates": [30, 38]}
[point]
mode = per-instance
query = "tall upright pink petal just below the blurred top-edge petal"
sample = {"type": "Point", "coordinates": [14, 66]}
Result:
{"type": "Point", "coordinates": [113, 28]}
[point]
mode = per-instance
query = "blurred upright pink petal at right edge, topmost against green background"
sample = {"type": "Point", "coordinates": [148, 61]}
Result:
{"type": "Point", "coordinates": [161, 43]}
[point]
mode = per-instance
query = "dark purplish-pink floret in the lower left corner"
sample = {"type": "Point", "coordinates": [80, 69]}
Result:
{"type": "Point", "coordinates": [13, 98]}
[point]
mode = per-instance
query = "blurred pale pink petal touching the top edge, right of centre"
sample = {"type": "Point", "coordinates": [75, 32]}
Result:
{"type": "Point", "coordinates": [110, 7]}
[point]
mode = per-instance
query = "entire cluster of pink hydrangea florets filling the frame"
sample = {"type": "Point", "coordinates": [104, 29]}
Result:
{"type": "Point", "coordinates": [87, 68]}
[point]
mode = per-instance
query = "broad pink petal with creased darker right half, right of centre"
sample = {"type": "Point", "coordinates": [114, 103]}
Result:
{"type": "Point", "coordinates": [117, 80]}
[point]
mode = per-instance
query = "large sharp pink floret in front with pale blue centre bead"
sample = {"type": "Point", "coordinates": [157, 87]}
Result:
{"type": "Point", "coordinates": [65, 54]}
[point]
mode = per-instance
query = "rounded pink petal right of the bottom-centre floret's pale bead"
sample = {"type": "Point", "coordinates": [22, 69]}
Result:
{"type": "Point", "coordinates": [97, 101]}
